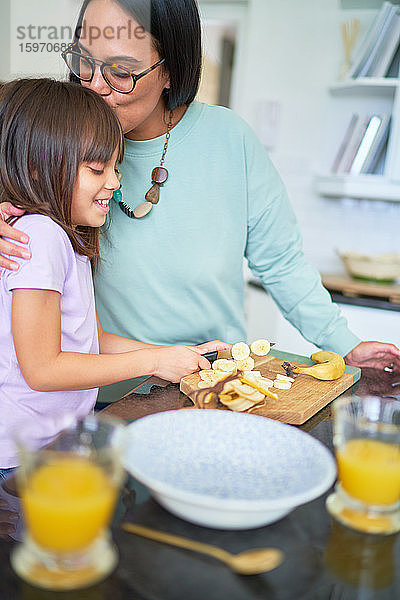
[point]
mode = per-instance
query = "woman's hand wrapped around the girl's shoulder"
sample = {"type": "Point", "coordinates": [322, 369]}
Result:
{"type": "Point", "coordinates": [8, 210]}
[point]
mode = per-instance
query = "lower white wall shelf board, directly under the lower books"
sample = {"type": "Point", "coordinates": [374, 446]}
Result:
{"type": "Point", "coordinates": [372, 187]}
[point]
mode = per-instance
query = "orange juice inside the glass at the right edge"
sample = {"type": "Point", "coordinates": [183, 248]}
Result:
{"type": "Point", "coordinates": [369, 470]}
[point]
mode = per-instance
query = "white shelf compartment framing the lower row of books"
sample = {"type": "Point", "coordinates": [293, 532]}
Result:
{"type": "Point", "coordinates": [363, 95]}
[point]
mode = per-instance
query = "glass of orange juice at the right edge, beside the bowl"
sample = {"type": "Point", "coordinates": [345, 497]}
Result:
{"type": "Point", "coordinates": [367, 447]}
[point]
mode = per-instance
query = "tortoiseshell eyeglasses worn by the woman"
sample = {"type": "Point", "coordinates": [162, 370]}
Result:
{"type": "Point", "coordinates": [119, 78]}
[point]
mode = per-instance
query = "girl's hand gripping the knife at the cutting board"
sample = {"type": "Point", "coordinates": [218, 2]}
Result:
{"type": "Point", "coordinates": [174, 362]}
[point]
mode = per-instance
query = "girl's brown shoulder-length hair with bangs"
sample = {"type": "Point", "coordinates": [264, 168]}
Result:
{"type": "Point", "coordinates": [47, 129]}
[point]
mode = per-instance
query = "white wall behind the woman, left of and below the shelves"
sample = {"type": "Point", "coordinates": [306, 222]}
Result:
{"type": "Point", "coordinates": [292, 54]}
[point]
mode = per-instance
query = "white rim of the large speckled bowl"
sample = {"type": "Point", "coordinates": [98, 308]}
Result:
{"type": "Point", "coordinates": [159, 487]}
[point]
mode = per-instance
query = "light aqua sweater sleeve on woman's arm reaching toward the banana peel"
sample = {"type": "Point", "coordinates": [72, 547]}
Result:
{"type": "Point", "coordinates": [275, 256]}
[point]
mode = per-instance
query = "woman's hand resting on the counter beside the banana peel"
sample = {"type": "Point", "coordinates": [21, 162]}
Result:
{"type": "Point", "coordinates": [376, 355]}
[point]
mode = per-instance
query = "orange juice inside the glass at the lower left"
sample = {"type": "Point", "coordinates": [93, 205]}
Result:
{"type": "Point", "coordinates": [67, 503]}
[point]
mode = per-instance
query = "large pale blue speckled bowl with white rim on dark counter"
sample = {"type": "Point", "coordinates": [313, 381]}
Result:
{"type": "Point", "coordinates": [224, 469]}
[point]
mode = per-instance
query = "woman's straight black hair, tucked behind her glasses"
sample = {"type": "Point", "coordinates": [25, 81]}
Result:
{"type": "Point", "coordinates": [176, 31]}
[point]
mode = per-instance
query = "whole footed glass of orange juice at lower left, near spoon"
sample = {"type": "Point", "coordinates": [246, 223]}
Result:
{"type": "Point", "coordinates": [68, 493]}
